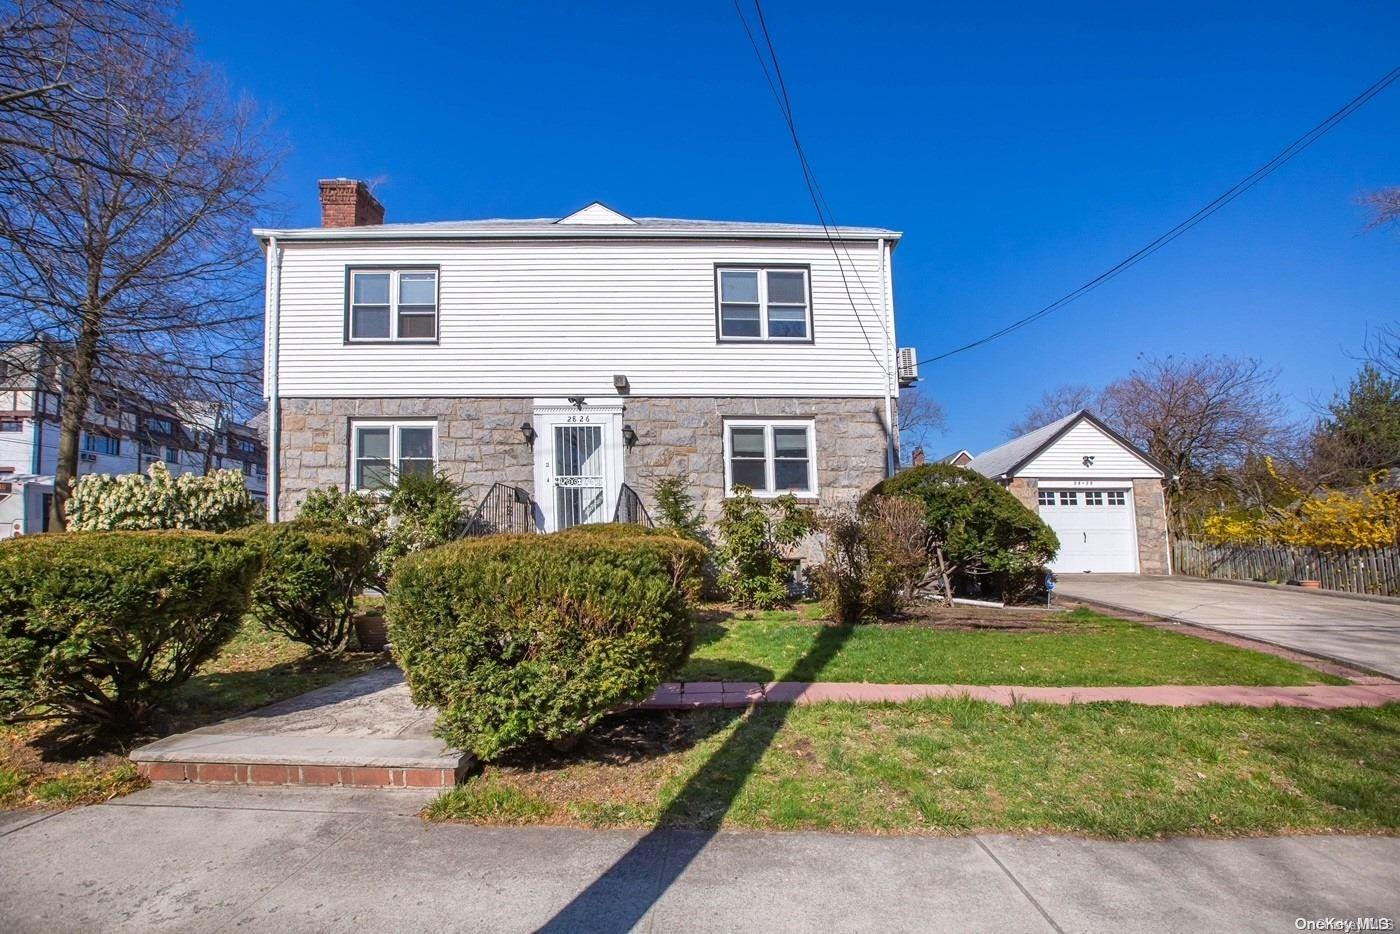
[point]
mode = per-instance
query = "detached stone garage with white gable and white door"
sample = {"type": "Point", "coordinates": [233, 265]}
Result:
{"type": "Point", "coordinates": [1101, 495]}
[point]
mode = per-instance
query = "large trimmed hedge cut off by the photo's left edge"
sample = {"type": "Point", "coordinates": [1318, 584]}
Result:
{"type": "Point", "coordinates": [97, 628]}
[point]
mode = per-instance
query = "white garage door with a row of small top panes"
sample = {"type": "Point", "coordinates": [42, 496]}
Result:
{"type": "Point", "coordinates": [1095, 529]}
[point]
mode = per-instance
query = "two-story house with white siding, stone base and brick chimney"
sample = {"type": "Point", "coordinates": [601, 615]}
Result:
{"type": "Point", "coordinates": [579, 358]}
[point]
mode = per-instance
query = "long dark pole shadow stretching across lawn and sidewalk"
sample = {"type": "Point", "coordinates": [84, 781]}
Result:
{"type": "Point", "coordinates": [618, 900]}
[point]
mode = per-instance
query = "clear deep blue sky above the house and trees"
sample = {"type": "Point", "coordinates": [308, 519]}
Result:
{"type": "Point", "coordinates": [1021, 149]}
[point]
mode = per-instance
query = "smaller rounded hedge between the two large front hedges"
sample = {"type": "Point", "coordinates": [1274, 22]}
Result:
{"type": "Point", "coordinates": [313, 571]}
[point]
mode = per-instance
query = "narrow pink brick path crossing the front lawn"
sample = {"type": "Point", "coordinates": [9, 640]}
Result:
{"type": "Point", "coordinates": [741, 694]}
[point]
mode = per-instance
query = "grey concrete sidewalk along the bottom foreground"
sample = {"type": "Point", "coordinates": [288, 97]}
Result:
{"type": "Point", "coordinates": [199, 859]}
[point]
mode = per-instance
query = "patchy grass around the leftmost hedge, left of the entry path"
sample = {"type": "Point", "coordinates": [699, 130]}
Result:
{"type": "Point", "coordinates": [255, 669]}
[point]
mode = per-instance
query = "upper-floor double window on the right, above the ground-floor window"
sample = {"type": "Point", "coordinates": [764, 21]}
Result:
{"type": "Point", "coordinates": [765, 303]}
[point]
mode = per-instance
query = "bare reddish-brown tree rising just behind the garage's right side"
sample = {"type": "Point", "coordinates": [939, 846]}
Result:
{"type": "Point", "coordinates": [1202, 418]}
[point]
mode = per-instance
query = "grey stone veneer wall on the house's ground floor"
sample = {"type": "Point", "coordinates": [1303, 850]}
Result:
{"type": "Point", "coordinates": [481, 443]}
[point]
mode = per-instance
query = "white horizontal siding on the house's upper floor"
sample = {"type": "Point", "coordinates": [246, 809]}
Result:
{"type": "Point", "coordinates": [561, 319]}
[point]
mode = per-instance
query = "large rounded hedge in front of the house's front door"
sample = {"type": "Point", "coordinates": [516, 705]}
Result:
{"type": "Point", "coordinates": [526, 638]}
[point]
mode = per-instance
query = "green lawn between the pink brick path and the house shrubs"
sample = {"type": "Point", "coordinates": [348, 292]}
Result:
{"type": "Point", "coordinates": [1086, 649]}
